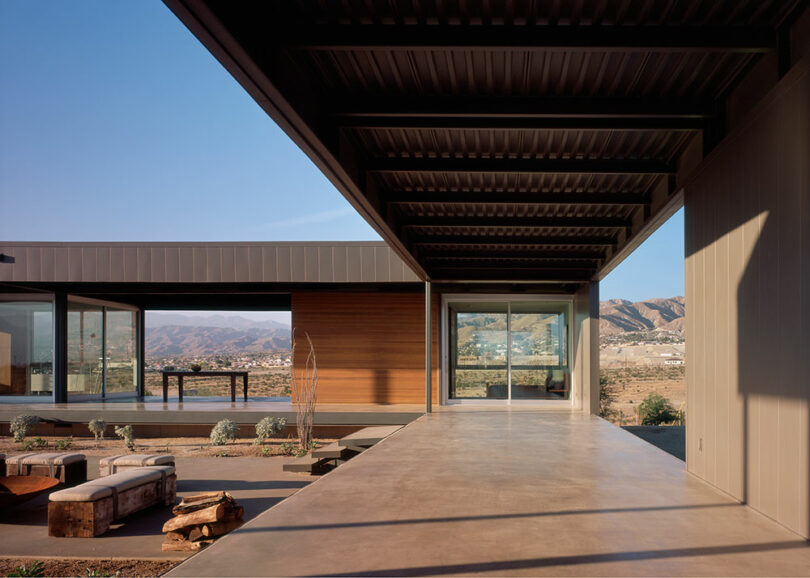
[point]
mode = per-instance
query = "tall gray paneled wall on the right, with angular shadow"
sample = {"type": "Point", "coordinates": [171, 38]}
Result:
{"type": "Point", "coordinates": [748, 296]}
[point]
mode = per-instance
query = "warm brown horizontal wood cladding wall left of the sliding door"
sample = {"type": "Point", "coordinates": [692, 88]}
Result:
{"type": "Point", "coordinates": [370, 347]}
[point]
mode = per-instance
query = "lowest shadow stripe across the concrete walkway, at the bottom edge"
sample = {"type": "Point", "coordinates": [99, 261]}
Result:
{"type": "Point", "coordinates": [530, 563]}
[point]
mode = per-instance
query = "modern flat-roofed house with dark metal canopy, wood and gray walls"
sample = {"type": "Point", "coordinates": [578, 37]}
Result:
{"type": "Point", "coordinates": [510, 155]}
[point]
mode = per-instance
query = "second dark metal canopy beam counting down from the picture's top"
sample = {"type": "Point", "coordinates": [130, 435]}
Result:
{"type": "Point", "coordinates": [523, 107]}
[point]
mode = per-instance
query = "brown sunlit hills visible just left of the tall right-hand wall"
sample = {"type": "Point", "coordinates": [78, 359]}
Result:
{"type": "Point", "coordinates": [621, 316]}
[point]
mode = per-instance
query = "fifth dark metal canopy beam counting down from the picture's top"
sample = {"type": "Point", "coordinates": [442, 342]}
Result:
{"type": "Point", "coordinates": [512, 222]}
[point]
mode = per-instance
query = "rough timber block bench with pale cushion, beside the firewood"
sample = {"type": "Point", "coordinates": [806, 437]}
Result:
{"type": "Point", "coordinates": [87, 510]}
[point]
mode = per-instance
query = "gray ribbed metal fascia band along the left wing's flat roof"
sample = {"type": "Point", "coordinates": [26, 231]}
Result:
{"type": "Point", "coordinates": [371, 262]}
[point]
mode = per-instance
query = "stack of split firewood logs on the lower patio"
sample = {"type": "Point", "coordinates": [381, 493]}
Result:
{"type": "Point", "coordinates": [201, 519]}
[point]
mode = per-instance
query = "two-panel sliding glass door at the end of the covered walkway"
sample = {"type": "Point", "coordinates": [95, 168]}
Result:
{"type": "Point", "coordinates": [509, 350]}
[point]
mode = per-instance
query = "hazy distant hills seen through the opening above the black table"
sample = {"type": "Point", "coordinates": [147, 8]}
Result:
{"type": "Point", "coordinates": [177, 334]}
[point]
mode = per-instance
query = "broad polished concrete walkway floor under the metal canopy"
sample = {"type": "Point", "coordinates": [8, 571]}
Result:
{"type": "Point", "coordinates": [507, 493]}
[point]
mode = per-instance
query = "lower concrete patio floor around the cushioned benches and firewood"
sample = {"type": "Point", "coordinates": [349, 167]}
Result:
{"type": "Point", "coordinates": [256, 483]}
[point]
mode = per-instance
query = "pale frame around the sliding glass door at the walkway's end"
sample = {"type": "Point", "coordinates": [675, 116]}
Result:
{"type": "Point", "coordinates": [446, 347]}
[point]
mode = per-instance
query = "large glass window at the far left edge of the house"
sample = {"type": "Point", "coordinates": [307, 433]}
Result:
{"type": "Point", "coordinates": [26, 348]}
